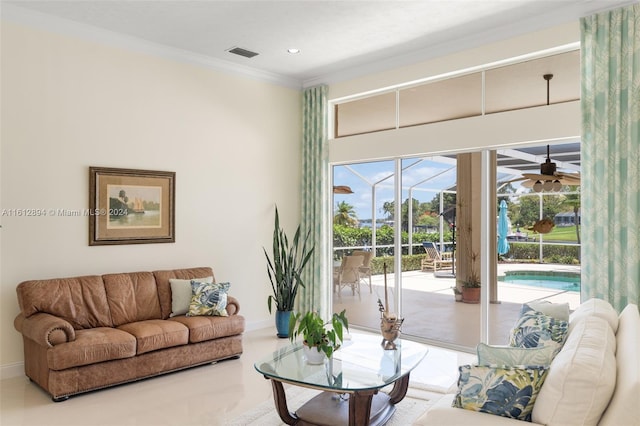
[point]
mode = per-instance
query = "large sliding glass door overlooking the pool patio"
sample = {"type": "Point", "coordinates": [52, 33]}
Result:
{"type": "Point", "coordinates": [415, 243]}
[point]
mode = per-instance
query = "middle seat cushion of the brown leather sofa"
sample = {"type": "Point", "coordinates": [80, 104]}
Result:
{"type": "Point", "coordinates": [152, 335]}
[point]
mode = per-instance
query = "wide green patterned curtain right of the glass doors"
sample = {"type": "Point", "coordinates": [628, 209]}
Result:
{"type": "Point", "coordinates": [611, 156]}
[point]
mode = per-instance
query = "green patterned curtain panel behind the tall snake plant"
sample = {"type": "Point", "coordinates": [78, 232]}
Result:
{"type": "Point", "coordinates": [314, 183]}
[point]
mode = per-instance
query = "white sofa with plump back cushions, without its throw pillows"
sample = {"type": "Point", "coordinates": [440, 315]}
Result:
{"type": "Point", "coordinates": [593, 380]}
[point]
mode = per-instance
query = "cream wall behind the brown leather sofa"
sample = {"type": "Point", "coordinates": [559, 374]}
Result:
{"type": "Point", "coordinates": [68, 104]}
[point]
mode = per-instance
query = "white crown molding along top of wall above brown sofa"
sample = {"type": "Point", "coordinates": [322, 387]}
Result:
{"type": "Point", "coordinates": [67, 27]}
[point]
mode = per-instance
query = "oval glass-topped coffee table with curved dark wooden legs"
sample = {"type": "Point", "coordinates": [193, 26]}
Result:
{"type": "Point", "coordinates": [350, 381]}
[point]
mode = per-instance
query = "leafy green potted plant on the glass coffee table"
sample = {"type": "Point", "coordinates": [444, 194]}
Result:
{"type": "Point", "coordinates": [319, 341]}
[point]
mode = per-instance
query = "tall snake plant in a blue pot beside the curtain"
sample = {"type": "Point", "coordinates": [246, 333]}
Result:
{"type": "Point", "coordinates": [284, 271]}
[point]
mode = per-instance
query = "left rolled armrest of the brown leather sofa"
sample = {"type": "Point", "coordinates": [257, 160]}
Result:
{"type": "Point", "coordinates": [45, 329]}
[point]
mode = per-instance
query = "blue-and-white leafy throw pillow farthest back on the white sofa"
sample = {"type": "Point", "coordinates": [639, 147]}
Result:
{"type": "Point", "coordinates": [535, 329]}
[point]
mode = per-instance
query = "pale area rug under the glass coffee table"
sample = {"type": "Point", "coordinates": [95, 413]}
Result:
{"type": "Point", "coordinates": [408, 410]}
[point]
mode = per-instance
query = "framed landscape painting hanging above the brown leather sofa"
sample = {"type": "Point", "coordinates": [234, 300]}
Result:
{"type": "Point", "coordinates": [128, 206]}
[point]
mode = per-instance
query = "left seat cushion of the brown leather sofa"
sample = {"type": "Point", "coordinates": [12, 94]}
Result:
{"type": "Point", "coordinates": [92, 346]}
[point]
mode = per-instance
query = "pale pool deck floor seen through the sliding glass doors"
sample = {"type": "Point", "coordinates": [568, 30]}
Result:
{"type": "Point", "coordinates": [431, 312]}
